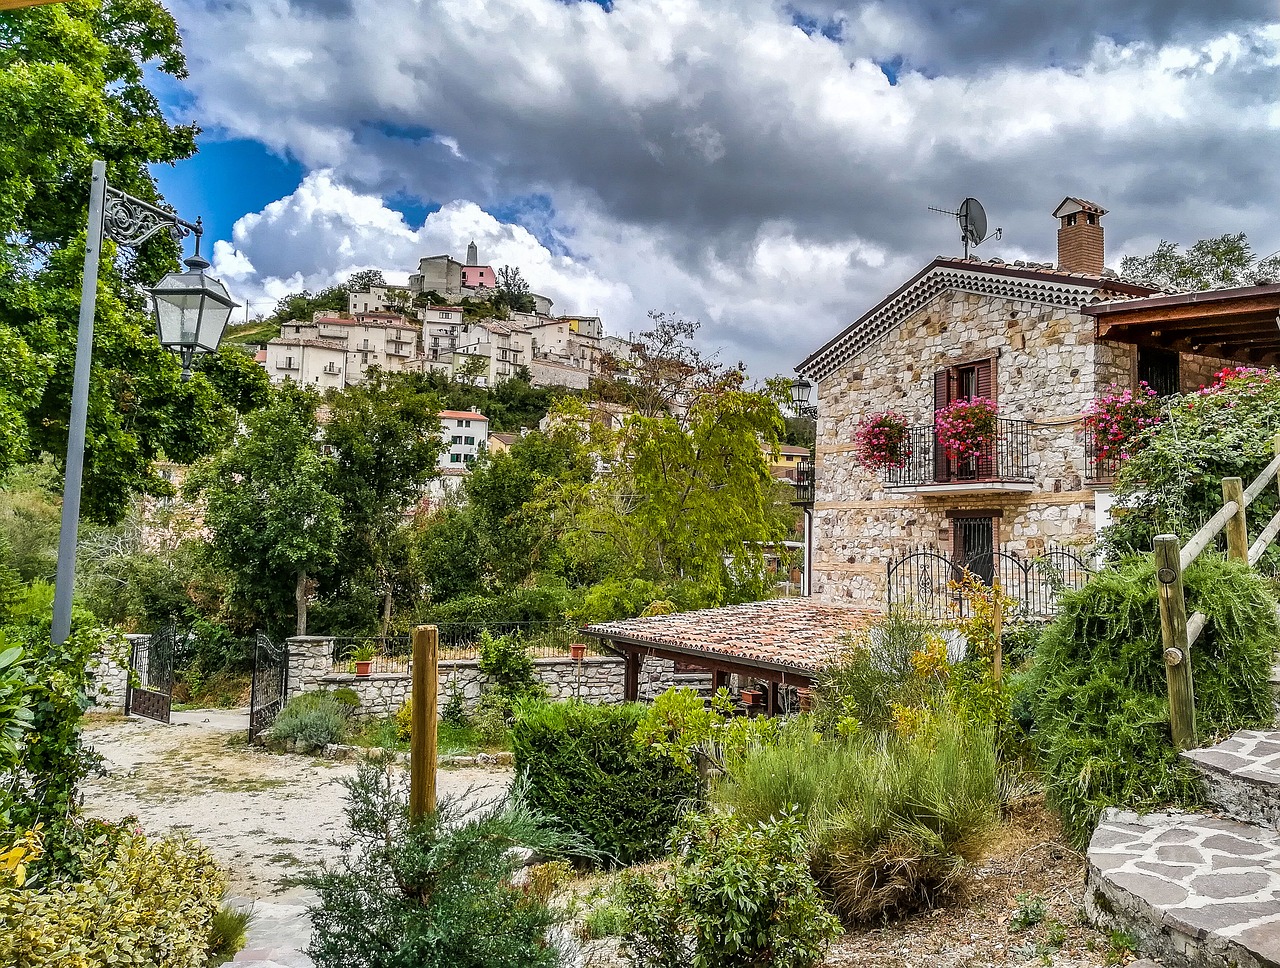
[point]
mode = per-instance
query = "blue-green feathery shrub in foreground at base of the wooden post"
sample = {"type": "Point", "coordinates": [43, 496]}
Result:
{"type": "Point", "coordinates": [435, 892]}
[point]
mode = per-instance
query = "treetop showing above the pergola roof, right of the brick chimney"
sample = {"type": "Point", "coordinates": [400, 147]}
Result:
{"type": "Point", "coordinates": [1220, 263]}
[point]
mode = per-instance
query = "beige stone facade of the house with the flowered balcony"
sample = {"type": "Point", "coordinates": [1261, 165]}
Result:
{"type": "Point", "coordinates": [1046, 367]}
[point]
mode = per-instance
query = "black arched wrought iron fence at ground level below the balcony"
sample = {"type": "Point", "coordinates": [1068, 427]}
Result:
{"type": "Point", "coordinates": [927, 581]}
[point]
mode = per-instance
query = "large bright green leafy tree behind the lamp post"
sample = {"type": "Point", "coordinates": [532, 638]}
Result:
{"type": "Point", "coordinates": [74, 89]}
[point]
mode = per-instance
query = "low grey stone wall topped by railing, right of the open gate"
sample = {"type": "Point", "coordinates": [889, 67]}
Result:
{"type": "Point", "coordinates": [597, 679]}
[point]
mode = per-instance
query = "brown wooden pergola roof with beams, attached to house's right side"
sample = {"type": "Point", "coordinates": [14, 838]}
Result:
{"type": "Point", "coordinates": [1241, 325]}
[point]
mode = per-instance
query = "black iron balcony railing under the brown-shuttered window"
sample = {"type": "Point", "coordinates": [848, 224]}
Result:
{"type": "Point", "coordinates": [1007, 458]}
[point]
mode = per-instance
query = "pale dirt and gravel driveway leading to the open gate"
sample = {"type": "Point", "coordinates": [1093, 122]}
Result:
{"type": "Point", "coordinates": [264, 816]}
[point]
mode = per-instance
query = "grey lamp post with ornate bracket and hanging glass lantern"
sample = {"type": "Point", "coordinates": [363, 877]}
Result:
{"type": "Point", "coordinates": [191, 313]}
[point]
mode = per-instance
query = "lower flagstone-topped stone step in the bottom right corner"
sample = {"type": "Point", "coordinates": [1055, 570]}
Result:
{"type": "Point", "coordinates": [1195, 891]}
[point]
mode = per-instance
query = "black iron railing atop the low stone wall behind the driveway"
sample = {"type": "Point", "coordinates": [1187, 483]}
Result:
{"type": "Point", "coordinates": [460, 641]}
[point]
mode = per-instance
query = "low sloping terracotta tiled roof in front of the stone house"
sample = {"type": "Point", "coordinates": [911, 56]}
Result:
{"type": "Point", "coordinates": [784, 638]}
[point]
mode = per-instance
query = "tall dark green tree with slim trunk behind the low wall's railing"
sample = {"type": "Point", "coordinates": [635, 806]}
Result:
{"type": "Point", "coordinates": [386, 441]}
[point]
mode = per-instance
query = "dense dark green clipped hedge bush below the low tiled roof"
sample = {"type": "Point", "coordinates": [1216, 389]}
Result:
{"type": "Point", "coordinates": [587, 771]}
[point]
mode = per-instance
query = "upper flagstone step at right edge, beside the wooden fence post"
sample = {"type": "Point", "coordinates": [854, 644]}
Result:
{"type": "Point", "coordinates": [1242, 777]}
